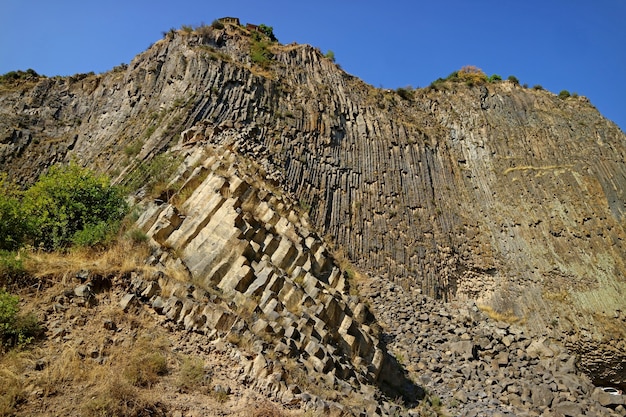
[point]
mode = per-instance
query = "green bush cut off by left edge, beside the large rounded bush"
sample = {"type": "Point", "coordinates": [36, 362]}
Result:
{"type": "Point", "coordinates": [12, 221]}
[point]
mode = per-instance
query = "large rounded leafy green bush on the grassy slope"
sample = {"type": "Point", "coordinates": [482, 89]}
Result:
{"type": "Point", "coordinates": [69, 204]}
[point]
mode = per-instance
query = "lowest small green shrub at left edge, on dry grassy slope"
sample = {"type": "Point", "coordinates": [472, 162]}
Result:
{"type": "Point", "coordinates": [15, 330]}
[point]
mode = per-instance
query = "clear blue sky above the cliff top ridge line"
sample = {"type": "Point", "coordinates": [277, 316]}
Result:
{"type": "Point", "coordinates": [576, 45]}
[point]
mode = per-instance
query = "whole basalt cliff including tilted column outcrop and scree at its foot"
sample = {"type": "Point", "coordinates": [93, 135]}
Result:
{"type": "Point", "coordinates": [342, 226]}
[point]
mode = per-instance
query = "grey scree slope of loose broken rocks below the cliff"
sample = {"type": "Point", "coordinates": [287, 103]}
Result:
{"type": "Point", "coordinates": [480, 367]}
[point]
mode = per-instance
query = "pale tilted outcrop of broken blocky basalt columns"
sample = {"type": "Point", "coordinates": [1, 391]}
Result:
{"type": "Point", "coordinates": [257, 276]}
